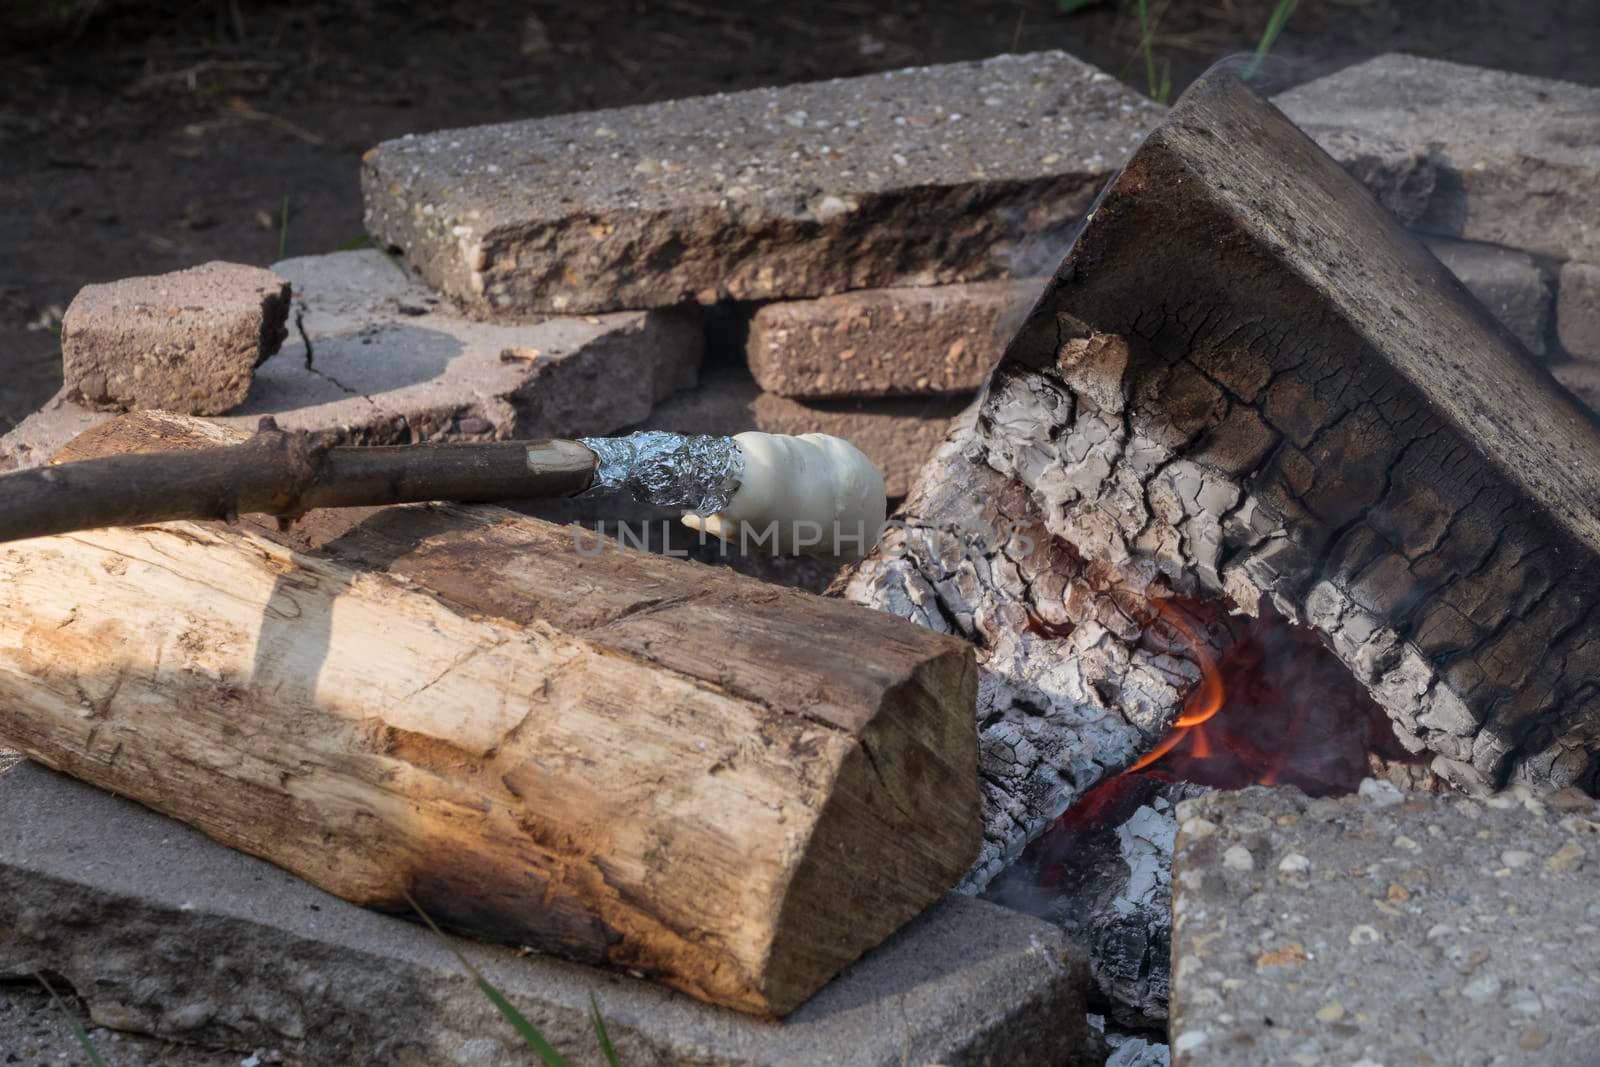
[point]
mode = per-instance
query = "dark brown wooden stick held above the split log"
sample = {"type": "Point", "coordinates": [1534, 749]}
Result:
{"type": "Point", "coordinates": [282, 474]}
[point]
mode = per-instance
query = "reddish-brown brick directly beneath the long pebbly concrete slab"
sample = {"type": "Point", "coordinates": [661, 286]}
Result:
{"type": "Point", "coordinates": [887, 343]}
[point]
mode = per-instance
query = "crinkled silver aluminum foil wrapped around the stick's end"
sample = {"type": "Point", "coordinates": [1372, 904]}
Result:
{"type": "Point", "coordinates": [698, 473]}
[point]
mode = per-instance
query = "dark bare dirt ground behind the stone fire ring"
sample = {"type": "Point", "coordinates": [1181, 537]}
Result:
{"type": "Point", "coordinates": [158, 135]}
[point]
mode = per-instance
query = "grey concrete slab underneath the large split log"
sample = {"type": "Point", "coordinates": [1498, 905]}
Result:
{"type": "Point", "coordinates": [169, 933]}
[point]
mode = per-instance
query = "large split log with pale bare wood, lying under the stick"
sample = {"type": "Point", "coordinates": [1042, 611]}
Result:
{"type": "Point", "coordinates": [617, 757]}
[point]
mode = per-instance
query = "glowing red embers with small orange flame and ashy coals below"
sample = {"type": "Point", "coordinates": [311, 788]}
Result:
{"type": "Point", "coordinates": [1273, 708]}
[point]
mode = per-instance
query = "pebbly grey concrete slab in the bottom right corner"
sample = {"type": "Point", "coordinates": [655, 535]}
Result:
{"type": "Point", "coordinates": [1386, 929]}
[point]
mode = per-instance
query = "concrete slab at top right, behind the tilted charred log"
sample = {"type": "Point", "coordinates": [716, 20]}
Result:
{"type": "Point", "coordinates": [1465, 151]}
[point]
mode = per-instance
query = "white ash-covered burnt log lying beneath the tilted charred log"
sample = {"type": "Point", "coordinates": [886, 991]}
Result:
{"type": "Point", "coordinates": [1071, 685]}
